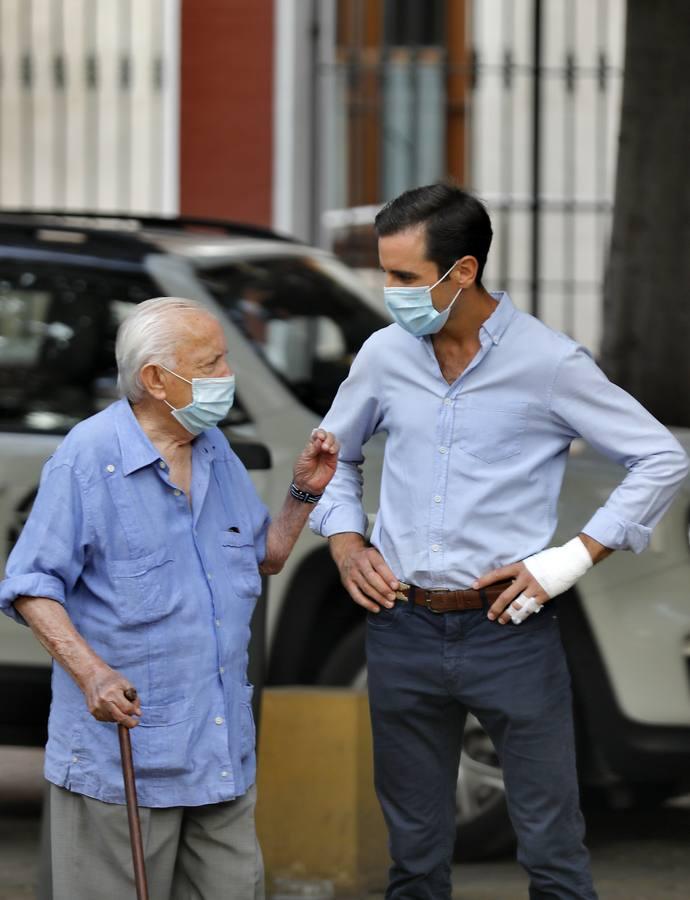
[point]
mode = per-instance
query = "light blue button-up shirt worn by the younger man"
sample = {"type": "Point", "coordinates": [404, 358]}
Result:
{"type": "Point", "coordinates": [472, 470]}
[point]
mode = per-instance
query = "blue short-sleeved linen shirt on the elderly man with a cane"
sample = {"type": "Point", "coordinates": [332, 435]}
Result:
{"type": "Point", "coordinates": [164, 593]}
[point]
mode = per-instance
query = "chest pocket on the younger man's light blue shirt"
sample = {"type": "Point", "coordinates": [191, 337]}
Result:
{"type": "Point", "coordinates": [491, 432]}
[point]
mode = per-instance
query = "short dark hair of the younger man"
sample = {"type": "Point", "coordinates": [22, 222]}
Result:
{"type": "Point", "coordinates": [457, 224]}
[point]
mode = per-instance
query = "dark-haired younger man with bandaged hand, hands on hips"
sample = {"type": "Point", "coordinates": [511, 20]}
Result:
{"type": "Point", "coordinates": [480, 403]}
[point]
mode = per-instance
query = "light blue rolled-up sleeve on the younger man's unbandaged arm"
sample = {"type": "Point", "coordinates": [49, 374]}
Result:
{"type": "Point", "coordinates": [354, 416]}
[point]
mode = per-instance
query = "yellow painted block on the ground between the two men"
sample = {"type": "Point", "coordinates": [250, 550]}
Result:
{"type": "Point", "coordinates": [317, 814]}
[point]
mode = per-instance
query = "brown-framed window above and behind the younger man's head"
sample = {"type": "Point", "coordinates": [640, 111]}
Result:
{"type": "Point", "coordinates": [399, 91]}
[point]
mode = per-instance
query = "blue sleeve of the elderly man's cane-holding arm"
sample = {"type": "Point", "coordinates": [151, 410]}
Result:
{"type": "Point", "coordinates": [48, 557]}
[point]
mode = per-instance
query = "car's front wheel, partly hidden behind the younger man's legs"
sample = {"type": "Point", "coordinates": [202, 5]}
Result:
{"type": "Point", "coordinates": [483, 829]}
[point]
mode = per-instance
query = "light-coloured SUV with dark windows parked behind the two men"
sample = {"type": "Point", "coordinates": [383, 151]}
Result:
{"type": "Point", "coordinates": [294, 318]}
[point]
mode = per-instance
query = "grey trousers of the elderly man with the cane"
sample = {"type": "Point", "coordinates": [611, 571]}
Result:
{"type": "Point", "coordinates": [192, 853]}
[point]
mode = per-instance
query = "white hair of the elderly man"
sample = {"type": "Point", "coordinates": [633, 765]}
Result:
{"type": "Point", "coordinates": [149, 335]}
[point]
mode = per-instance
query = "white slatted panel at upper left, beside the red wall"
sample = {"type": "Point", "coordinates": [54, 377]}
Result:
{"type": "Point", "coordinates": [109, 144]}
